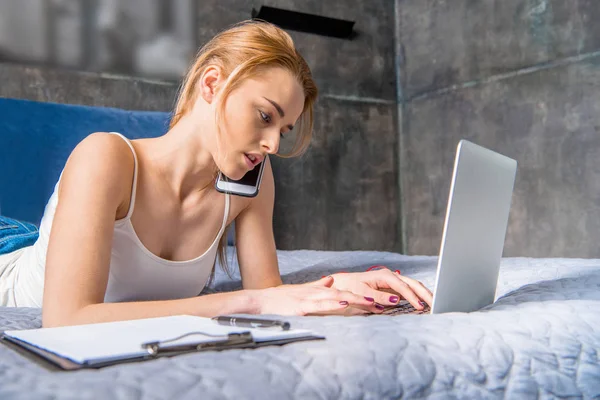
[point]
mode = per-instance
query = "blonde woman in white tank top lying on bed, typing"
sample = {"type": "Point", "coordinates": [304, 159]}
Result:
{"type": "Point", "coordinates": [133, 228]}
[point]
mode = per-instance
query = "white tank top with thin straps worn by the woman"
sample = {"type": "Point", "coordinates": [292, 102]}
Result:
{"type": "Point", "coordinates": [136, 274]}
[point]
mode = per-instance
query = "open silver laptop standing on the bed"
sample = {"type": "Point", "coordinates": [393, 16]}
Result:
{"type": "Point", "coordinates": [474, 232]}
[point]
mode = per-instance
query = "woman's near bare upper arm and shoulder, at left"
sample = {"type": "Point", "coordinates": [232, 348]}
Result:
{"type": "Point", "coordinates": [92, 191]}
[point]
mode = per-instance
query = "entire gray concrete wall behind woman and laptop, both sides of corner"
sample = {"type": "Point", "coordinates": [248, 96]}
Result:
{"type": "Point", "coordinates": [518, 76]}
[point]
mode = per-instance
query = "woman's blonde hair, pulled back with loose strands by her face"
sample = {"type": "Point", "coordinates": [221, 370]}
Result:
{"type": "Point", "coordinates": [243, 51]}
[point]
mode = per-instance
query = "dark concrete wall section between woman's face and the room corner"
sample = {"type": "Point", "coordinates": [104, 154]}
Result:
{"type": "Point", "coordinates": [342, 195]}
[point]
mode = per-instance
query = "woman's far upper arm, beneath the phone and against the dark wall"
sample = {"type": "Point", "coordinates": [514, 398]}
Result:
{"type": "Point", "coordinates": [254, 238]}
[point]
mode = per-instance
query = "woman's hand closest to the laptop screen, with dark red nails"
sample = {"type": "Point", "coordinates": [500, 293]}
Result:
{"type": "Point", "coordinates": [384, 287]}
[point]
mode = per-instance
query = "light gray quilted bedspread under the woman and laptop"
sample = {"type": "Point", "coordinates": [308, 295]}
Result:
{"type": "Point", "coordinates": [540, 339]}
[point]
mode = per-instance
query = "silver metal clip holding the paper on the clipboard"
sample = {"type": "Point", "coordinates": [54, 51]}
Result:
{"type": "Point", "coordinates": [231, 340]}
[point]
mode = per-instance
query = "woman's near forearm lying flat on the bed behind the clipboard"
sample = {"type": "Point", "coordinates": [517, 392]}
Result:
{"type": "Point", "coordinates": [243, 301]}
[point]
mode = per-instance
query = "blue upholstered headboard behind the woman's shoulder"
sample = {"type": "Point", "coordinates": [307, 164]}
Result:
{"type": "Point", "coordinates": [37, 138]}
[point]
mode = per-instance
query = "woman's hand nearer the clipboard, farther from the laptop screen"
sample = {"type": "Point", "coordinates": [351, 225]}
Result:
{"type": "Point", "coordinates": [309, 298]}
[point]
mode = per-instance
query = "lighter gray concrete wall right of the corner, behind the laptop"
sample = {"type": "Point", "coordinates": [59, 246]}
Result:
{"type": "Point", "coordinates": [521, 77]}
